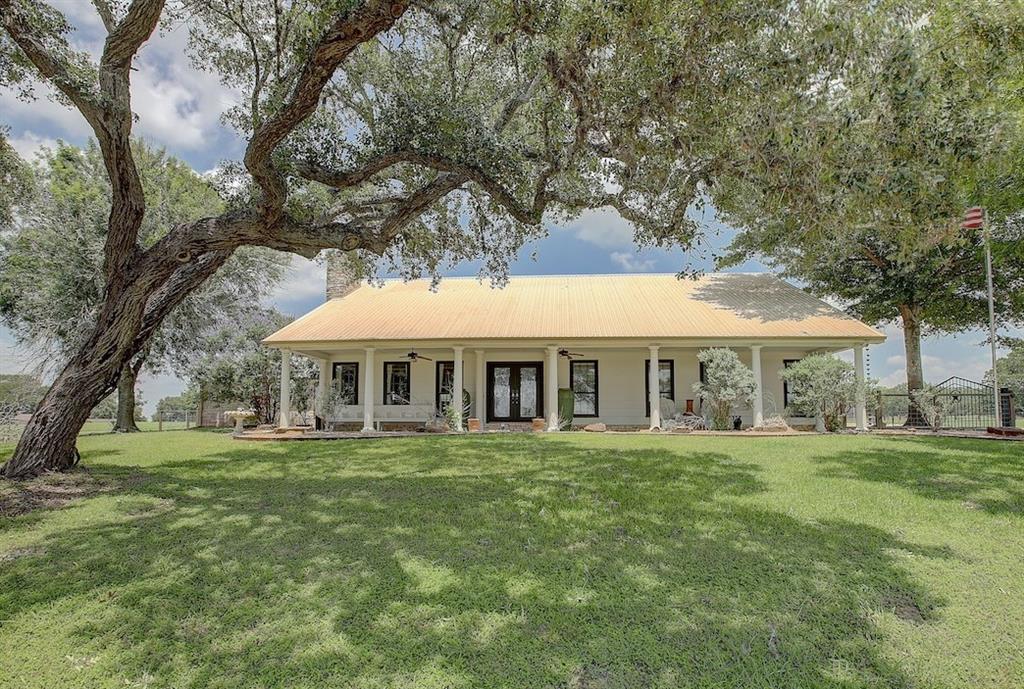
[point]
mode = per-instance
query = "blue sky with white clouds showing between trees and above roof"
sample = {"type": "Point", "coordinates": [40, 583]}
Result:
{"type": "Point", "coordinates": [180, 108]}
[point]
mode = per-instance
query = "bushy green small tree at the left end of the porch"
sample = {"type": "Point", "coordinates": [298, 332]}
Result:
{"type": "Point", "coordinates": [236, 367]}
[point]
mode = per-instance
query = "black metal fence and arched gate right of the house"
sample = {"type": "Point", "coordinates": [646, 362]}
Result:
{"type": "Point", "coordinates": [967, 405]}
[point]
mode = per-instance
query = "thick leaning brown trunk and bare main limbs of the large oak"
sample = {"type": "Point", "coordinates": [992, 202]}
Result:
{"type": "Point", "coordinates": [143, 287]}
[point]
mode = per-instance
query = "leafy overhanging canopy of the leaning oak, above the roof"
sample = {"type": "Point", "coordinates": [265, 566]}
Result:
{"type": "Point", "coordinates": [452, 135]}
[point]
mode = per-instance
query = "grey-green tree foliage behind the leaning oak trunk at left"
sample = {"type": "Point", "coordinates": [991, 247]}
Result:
{"type": "Point", "coordinates": [52, 283]}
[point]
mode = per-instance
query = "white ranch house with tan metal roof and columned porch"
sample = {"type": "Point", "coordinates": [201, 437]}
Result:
{"type": "Point", "coordinates": [513, 349]}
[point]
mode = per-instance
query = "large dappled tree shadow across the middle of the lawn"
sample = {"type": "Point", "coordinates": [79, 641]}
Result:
{"type": "Point", "coordinates": [478, 563]}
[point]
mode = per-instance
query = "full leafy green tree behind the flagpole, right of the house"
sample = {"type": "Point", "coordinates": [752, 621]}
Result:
{"type": "Point", "coordinates": [860, 190]}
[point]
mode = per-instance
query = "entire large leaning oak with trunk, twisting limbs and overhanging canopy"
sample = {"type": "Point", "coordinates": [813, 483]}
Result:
{"type": "Point", "coordinates": [414, 135]}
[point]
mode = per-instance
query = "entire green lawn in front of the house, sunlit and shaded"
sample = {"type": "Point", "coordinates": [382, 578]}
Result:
{"type": "Point", "coordinates": [520, 562]}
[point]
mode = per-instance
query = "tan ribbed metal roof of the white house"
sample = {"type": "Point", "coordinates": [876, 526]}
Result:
{"type": "Point", "coordinates": [718, 306]}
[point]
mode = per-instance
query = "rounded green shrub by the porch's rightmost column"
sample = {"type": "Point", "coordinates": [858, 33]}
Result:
{"type": "Point", "coordinates": [824, 386]}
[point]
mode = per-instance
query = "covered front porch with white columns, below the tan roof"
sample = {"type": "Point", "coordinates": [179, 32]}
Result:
{"type": "Point", "coordinates": [403, 385]}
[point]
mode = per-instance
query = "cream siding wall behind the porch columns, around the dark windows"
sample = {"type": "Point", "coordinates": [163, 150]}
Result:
{"type": "Point", "coordinates": [622, 391]}
